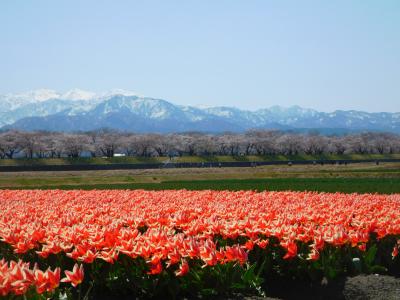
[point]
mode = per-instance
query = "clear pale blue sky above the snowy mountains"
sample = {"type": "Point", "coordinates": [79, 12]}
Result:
{"type": "Point", "coordinates": [325, 55]}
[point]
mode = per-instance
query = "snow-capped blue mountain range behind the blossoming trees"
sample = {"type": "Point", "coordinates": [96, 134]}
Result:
{"type": "Point", "coordinates": [78, 110]}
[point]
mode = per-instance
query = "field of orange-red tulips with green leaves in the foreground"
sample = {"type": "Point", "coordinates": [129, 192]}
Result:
{"type": "Point", "coordinates": [177, 243]}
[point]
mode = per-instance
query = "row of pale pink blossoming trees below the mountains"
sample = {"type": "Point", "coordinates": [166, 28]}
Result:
{"type": "Point", "coordinates": [256, 142]}
